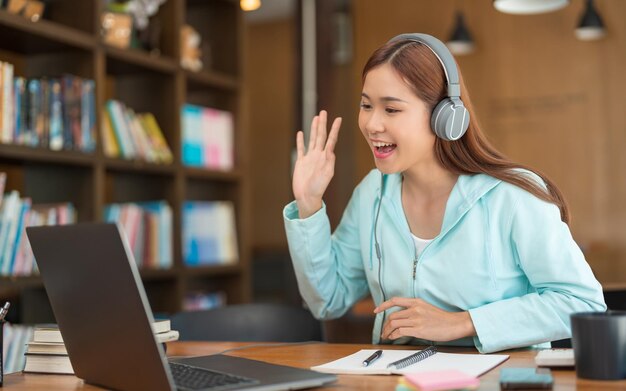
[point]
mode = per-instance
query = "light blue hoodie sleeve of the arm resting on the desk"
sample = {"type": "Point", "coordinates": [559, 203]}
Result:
{"type": "Point", "coordinates": [560, 283]}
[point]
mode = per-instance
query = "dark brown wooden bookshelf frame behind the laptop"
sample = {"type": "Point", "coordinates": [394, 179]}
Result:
{"type": "Point", "coordinates": [67, 40]}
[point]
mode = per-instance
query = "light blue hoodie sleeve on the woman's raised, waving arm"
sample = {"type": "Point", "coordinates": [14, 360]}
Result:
{"type": "Point", "coordinates": [329, 268]}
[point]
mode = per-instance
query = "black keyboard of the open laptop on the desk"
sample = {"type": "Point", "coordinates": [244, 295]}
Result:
{"type": "Point", "coordinates": [188, 377]}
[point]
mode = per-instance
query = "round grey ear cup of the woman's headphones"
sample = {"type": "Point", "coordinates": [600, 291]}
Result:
{"type": "Point", "coordinates": [450, 119]}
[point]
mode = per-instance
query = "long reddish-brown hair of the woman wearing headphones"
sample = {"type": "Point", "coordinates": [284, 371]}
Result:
{"type": "Point", "coordinates": [472, 153]}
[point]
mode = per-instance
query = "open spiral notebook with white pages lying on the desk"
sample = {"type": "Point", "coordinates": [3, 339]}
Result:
{"type": "Point", "coordinates": [471, 364]}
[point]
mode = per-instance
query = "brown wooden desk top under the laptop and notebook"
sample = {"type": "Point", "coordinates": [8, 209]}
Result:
{"type": "Point", "coordinates": [307, 355]}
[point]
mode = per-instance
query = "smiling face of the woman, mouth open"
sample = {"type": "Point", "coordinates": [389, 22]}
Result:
{"type": "Point", "coordinates": [395, 122]}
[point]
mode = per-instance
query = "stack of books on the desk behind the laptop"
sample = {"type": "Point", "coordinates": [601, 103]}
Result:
{"type": "Point", "coordinates": [46, 352]}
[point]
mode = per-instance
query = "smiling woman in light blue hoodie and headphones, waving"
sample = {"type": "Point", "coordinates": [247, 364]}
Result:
{"type": "Point", "coordinates": [456, 244]}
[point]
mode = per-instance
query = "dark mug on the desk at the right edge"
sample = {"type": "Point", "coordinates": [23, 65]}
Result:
{"type": "Point", "coordinates": [599, 342]}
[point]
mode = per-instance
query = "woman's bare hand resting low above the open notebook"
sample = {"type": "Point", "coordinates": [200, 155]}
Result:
{"type": "Point", "coordinates": [422, 320]}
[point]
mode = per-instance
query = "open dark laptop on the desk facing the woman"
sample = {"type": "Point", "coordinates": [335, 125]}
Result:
{"type": "Point", "coordinates": [102, 310]}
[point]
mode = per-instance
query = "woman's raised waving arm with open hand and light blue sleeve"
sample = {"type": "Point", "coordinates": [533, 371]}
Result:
{"type": "Point", "coordinates": [328, 268]}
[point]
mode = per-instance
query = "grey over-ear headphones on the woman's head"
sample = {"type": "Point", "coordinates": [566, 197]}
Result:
{"type": "Point", "coordinates": [450, 118]}
